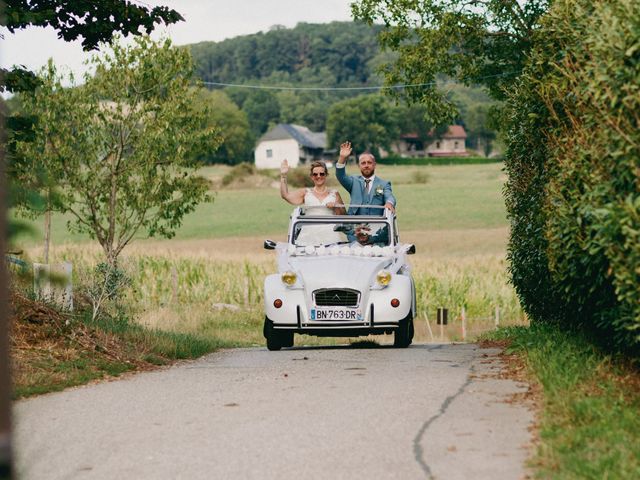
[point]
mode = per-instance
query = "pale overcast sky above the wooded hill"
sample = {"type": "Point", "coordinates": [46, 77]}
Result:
{"type": "Point", "coordinates": [205, 20]}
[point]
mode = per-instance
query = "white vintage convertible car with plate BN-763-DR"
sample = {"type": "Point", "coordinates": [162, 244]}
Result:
{"type": "Point", "coordinates": [343, 276]}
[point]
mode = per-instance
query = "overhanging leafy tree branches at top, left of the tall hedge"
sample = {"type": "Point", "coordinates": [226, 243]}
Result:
{"type": "Point", "coordinates": [476, 42]}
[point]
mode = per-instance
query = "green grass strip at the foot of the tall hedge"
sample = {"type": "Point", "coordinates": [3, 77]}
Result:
{"type": "Point", "coordinates": [589, 426]}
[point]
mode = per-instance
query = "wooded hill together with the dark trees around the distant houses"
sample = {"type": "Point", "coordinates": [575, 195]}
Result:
{"type": "Point", "coordinates": [337, 54]}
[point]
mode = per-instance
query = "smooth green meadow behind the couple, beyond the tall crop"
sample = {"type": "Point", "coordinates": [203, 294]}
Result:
{"type": "Point", "coordinates": [456, 197]}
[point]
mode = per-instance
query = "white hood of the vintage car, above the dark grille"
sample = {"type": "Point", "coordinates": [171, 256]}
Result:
{"type": "Point", "coordinates": [338, 272]}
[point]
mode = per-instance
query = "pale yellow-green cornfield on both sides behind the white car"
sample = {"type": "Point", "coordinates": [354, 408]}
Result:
{"type": "Point", "coordinates": [223, 297]}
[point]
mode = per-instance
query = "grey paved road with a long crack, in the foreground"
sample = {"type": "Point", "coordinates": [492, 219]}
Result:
{"type": "Point", "coordinates": [429, 411]}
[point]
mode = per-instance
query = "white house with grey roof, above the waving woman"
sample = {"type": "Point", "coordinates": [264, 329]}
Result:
{"type": "Point", "coordinates": [294, 143]}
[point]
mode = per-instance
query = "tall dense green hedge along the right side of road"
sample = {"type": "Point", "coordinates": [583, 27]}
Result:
{"type": "Point", "coordinates": [573, 159]}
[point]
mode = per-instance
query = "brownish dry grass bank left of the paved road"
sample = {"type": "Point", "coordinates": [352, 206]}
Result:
{"type": "Point", "coordinates": [51, 350]}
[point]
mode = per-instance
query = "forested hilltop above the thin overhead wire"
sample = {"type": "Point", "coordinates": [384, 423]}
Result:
{"type": "Point", "coordinates": [332, 54]}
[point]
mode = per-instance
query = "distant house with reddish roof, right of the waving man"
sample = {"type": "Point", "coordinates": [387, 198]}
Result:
{"type": "Point", "coordinates": [450, 144]}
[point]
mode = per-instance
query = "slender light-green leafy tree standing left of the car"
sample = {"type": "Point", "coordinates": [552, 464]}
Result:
{"type": "Point", "coordinates": [121, 146]}
